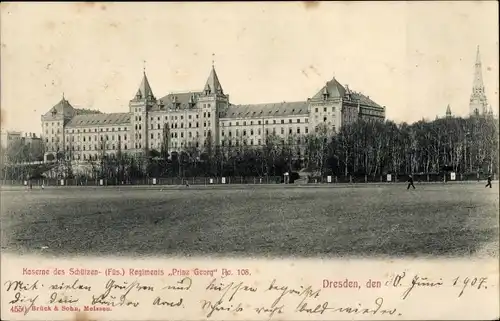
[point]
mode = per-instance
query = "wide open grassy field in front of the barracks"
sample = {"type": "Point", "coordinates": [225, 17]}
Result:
{"type": "Point", "coordinates": [453, 220]}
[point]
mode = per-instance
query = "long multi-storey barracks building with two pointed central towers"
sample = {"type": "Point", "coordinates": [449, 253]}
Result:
{"type": "Point", "coordinates": [199, 119]}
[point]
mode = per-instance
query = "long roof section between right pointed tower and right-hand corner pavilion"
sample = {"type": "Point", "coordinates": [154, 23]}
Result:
{"type": "Point", "coordinates": [267, 110]}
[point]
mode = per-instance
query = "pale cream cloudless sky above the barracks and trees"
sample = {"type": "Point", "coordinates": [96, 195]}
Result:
{"type": "Point", "coordinates": [415, 58]}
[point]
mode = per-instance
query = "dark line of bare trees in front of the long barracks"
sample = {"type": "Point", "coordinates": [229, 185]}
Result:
{"type": "Point", "coordinates": [371, 148]}
